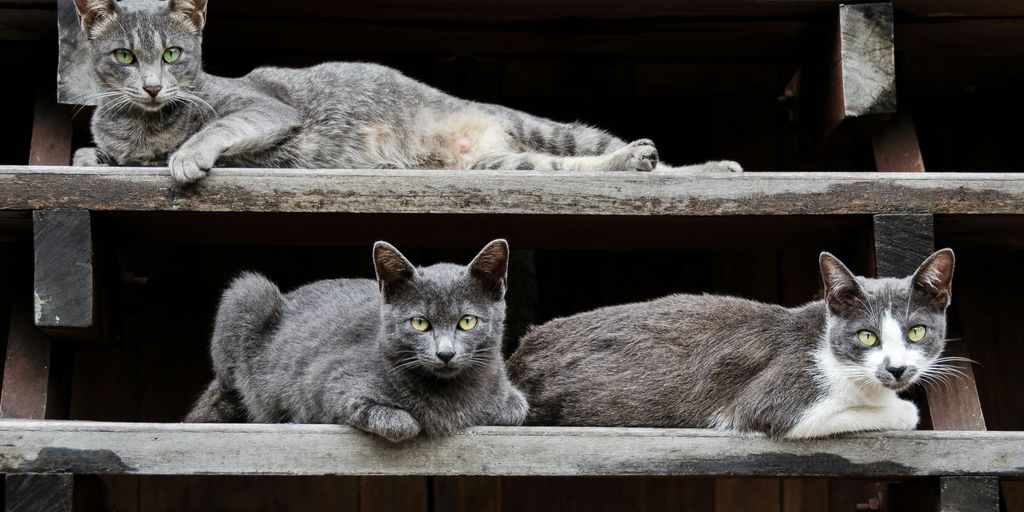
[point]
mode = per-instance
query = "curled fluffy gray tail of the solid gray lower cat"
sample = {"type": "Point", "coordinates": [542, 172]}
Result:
{"type": "Point", "coordinates": [246, 318]}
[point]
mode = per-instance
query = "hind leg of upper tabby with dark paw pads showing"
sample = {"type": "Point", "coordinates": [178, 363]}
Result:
{"type": "Point", "coordinates": [637, 156]}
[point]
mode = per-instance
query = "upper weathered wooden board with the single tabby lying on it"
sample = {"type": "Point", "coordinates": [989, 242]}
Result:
{"type": "Point", "coordinates": [513, 192]}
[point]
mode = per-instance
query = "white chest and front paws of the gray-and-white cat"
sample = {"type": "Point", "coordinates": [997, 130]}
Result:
{"type": "Point", "coordinates": [852, 406]}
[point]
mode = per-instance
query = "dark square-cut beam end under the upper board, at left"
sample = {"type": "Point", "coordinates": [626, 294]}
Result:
{"type": "Point", "coordinates": [65, 293]}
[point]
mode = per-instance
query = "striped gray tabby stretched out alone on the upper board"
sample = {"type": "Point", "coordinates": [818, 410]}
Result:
{"type": "Point", "coordinates": [158, 107]}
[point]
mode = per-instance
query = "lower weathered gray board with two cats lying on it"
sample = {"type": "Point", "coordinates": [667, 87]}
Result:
{"type": "Point", "coordinates": [92, 448]}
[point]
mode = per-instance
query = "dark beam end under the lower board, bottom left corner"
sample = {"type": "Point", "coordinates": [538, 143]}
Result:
{"type": "Point", "coordinates": [39, 493]}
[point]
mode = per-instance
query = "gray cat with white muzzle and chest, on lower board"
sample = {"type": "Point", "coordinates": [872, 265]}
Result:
{"type": "Point", "coordinates": [701, 361]}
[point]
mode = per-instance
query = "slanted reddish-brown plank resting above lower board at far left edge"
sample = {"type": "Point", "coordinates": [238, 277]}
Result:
{"type": "Point", "coordinates": [26, 392]}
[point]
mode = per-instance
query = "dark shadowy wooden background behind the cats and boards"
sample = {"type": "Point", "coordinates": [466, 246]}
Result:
{"type": "Point", "coordinates": [705, 80]}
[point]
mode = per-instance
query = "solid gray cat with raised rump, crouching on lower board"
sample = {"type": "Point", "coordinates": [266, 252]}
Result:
{"type": "Point", "coordinates": [417, 352]}
